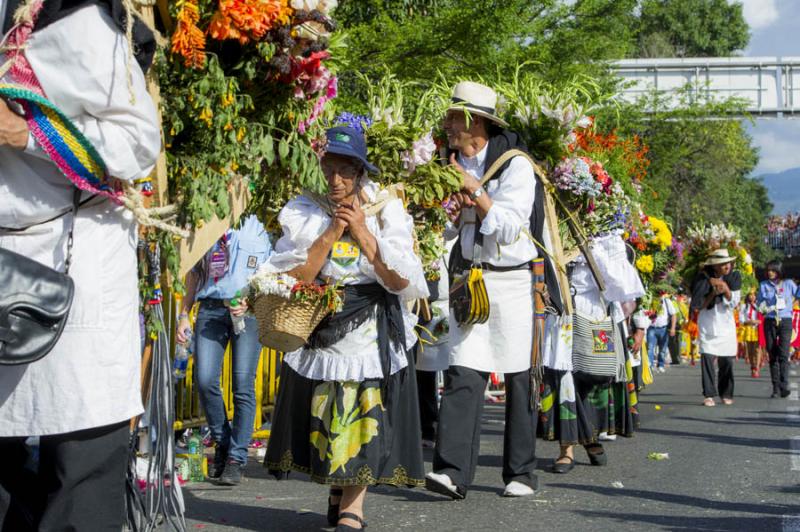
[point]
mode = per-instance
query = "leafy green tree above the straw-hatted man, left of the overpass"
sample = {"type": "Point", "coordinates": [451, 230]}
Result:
{"type": "Point", "coordinates": [418, 39]}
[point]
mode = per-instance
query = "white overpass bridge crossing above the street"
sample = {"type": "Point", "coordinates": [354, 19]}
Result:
{"type": "Point", "coordinates": [770, 86]}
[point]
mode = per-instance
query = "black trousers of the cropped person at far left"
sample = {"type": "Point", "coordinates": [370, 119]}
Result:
{"type": "Point", "coordinates": [80, 484]}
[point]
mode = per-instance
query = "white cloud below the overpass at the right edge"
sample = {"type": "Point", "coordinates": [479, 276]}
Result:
{"type": "Point", "coordinates": [778, 143]}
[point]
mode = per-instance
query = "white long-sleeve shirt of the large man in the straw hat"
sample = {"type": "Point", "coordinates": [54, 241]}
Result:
{"type": "Point", "coordinates": [507, 224]}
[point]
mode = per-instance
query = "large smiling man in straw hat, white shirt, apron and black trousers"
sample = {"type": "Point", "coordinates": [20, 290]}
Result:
{"type": "Point", "coordinates": [491, 223]}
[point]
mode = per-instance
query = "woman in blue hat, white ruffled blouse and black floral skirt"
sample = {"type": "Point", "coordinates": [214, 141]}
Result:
{"type": "Point", "coordinates": [347, 412]}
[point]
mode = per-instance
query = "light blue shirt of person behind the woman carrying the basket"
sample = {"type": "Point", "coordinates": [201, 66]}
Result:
{"type": "Point", "coordinates": [248, 248]}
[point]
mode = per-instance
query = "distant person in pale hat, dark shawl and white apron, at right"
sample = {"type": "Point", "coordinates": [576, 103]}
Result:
{"type": "Point", "coordinates": [715, 293]}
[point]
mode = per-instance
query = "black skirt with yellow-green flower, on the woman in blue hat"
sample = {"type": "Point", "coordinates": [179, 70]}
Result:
{"type": "Point", "coordinates": [348, 433]}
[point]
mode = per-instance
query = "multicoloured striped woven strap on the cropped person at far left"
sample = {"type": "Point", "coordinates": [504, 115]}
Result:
{"type": "Point", "coordinates": [66, 146]}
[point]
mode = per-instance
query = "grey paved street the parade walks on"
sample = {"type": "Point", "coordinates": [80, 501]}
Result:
{"type": "Point", "coordinates": [729, 468]}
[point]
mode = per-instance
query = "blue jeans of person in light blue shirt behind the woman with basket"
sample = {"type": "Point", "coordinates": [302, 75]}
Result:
{"type": "Point", "coordinates": [213, 331]}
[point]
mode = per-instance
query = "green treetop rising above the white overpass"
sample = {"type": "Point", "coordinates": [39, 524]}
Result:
{"type": "Point", "coordinates": [691, 28]}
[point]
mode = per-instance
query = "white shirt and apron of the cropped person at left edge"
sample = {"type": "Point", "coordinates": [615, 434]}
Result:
{"type": "Point", "coordinates": [91, 377]}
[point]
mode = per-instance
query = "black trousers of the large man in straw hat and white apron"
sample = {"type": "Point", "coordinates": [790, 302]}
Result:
{"type": "Point", "coordinates": [459, 435]}
